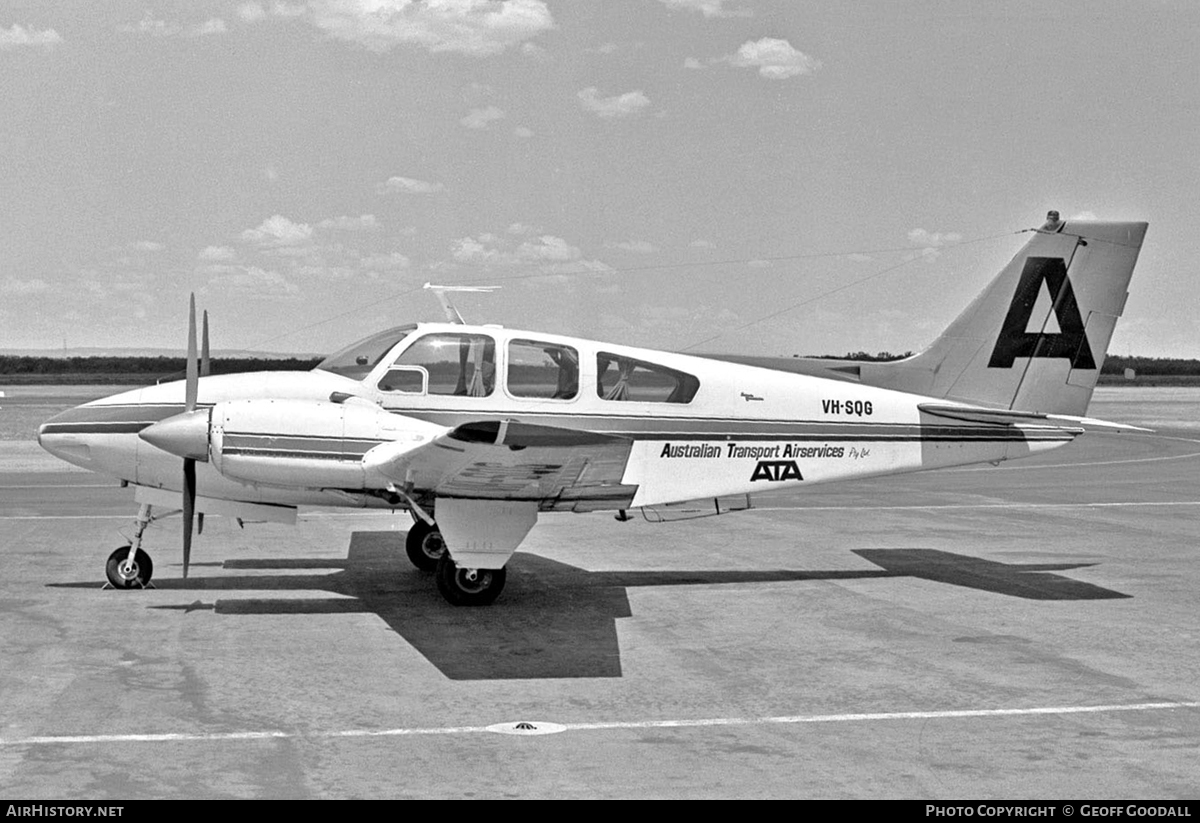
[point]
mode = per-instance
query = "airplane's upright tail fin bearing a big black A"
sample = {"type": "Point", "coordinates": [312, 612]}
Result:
{"type": "Point", "coordinates": [1037, 337]}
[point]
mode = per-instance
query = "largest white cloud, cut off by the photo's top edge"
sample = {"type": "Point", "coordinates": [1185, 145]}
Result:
{"type": "Point", "coordinates": [479, 28]}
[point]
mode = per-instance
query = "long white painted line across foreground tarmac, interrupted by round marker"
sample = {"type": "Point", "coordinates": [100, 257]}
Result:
{"type": "Point", "coordinates": [883, 717]}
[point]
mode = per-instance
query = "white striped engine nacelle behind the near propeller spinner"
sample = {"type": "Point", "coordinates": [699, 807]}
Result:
{"type": "Point", "coordinates": [302, 443]}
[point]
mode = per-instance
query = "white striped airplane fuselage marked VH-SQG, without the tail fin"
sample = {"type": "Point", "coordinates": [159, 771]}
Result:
{"type": "Point", "coordinates": [746, 430]}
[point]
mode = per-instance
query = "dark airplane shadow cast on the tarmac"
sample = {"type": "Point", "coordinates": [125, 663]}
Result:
{"type": "Point", "coordinates": [557, 621]}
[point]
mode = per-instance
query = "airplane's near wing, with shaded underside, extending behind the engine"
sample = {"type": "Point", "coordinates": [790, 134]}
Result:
{"type": "Point", "coordinates": [562, 470]}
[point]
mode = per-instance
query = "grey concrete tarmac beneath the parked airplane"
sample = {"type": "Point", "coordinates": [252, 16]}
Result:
{"type": "Point", "coordinates": [1024, 632]}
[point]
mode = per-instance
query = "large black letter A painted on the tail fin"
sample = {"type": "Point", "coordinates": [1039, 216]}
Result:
{"type": "Point", "coordinates": [1071, 343]}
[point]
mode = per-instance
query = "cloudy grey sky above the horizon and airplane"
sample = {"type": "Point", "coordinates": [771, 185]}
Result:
{"type": "Point", "coordinates": [751, 177]}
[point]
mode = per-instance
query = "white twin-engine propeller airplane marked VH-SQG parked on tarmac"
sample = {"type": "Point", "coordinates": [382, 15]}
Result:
{"type": "Point", "coordinates": [477, 430]}
